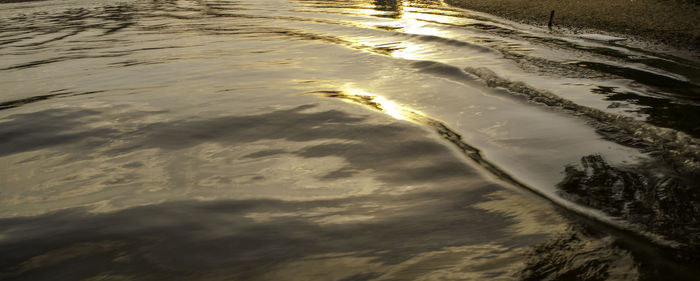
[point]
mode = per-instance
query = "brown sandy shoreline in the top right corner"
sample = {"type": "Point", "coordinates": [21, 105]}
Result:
{"type": "Point", "coordinates": [672, 22]}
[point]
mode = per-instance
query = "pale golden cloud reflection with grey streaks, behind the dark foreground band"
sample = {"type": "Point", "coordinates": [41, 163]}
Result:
{"type": "Point", "coordinates": [302, 152]}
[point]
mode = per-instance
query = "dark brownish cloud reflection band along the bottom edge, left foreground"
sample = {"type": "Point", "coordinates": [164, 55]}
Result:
{"type": "Point", "coordinates": [194, 239]}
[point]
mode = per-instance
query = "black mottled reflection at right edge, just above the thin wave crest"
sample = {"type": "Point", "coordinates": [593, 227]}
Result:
{"type": "Point", "coordinates": [660, 200]}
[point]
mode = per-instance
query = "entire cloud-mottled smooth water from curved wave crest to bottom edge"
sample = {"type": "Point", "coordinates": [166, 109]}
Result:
{"type": "Point", "coordinates": [371, 197]}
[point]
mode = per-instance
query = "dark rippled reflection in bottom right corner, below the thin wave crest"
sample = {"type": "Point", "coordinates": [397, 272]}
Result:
{"type": "Point", "coordinates": [586, 254]}
